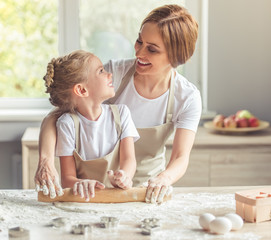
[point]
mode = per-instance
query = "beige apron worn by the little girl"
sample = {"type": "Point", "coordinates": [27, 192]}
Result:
{"type": "Point", "coordinates": [97, 168]}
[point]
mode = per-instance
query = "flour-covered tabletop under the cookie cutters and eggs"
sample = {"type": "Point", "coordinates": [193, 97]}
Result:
{"type": "Point", "coordinates": [178, 217]}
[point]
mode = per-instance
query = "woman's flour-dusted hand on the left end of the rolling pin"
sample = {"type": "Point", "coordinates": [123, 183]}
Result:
{"type": "Point", "coordinates": [47, 180]}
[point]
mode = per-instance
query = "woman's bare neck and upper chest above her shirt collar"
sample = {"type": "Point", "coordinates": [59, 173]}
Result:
{"type": "Point", "coordinates": [152, 86]}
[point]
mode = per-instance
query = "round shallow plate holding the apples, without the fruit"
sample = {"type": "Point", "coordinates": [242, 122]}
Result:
{"type": "Point", "coordinates": [263, 125]}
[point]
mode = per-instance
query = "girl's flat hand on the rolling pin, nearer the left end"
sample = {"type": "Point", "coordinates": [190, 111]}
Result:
{"type": "Point", "coordinates": [86, 188]}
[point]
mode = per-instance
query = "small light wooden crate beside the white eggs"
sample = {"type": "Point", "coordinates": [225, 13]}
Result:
{"type": "Point", "coordinates": [254, 205]}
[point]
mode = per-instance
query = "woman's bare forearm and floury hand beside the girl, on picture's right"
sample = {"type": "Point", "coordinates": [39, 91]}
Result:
{"type": "Point", "coordinates": [176, 168]}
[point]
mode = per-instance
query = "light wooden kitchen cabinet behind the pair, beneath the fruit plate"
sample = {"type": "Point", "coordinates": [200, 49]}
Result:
{"type": "Point", "coordinates": [216, 159]}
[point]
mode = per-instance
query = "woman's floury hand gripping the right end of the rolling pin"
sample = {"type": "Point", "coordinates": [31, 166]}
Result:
{"type": "Point", "coordinates": [158, 188]}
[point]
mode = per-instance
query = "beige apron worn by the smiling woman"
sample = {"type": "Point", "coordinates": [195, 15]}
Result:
{"type": "Point", "coordinates": [150, 148]}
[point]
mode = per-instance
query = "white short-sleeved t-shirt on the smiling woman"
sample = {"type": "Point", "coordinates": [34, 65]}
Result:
{"type": "Point", "coordinates": [151, 112]}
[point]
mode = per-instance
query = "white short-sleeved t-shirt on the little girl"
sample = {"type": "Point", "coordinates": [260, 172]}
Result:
{"type": "Point", "coordinates": [97, 138]}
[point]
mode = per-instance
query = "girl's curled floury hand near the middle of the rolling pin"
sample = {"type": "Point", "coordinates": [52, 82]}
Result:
{"type": "Point", "coordinates": [120, 179]}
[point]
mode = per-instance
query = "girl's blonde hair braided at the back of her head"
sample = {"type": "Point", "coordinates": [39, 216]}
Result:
{"type": "Point", "coordinates": [63, 74]}
